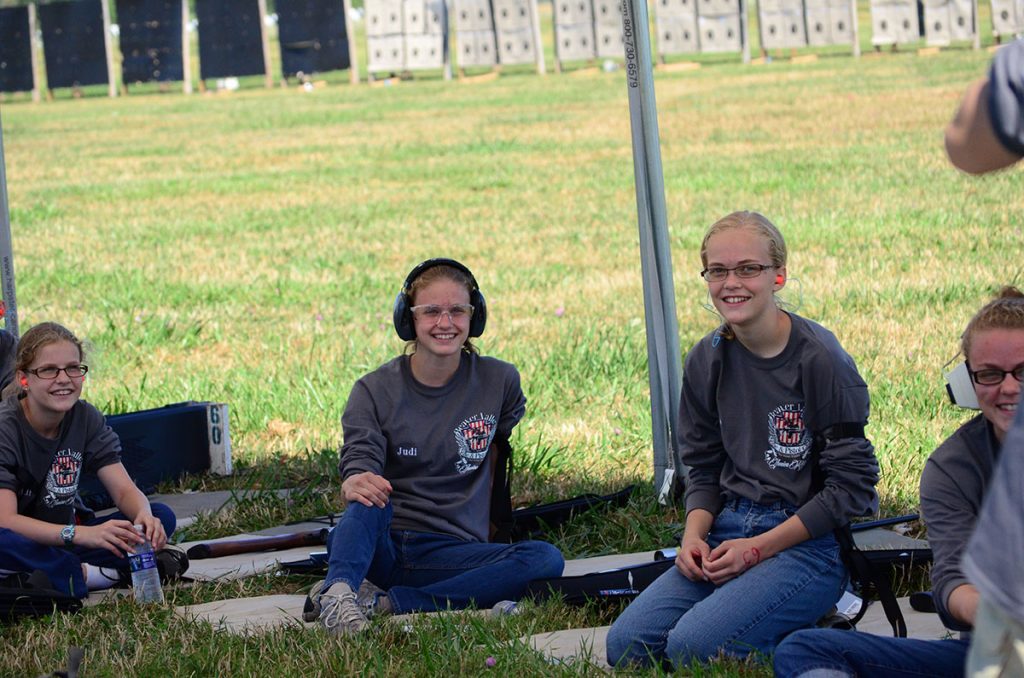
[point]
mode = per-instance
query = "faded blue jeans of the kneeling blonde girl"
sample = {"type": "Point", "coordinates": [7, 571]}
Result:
{"type": "Point", "coordinates": [682, 622]}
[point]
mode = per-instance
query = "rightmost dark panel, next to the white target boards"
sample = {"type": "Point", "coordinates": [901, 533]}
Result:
{"type": "Point", "coordinates": [313, 36]}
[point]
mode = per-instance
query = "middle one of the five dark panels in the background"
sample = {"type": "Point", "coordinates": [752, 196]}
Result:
{"type": "Point", "coordinates": [151, 40]}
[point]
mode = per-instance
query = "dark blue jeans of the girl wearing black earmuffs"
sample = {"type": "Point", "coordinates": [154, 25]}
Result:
{"type": "Point", "coordinates": [425, 572]}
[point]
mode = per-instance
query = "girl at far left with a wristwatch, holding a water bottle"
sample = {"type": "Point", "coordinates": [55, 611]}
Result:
{"type": "Point", "coordinates": [49, 438]}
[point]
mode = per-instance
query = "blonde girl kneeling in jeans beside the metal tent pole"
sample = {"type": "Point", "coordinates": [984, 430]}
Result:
{"type": "Point", "coordinates": [772, 428]}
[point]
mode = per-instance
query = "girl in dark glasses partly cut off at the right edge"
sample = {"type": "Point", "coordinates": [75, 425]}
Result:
{"type": "Point", "coordinates": [954, 485]}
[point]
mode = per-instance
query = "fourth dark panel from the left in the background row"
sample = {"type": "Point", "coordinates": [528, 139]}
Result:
{"type": "Point", "coordinates": [230, 39]}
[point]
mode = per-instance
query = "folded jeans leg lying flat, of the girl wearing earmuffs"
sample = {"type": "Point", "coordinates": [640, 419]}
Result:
{"type": "Point", "coordinates": [438, 572]}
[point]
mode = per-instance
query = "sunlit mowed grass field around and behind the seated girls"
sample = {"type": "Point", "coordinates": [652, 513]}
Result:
{"type": "Point", "coordinates": [246, 248]}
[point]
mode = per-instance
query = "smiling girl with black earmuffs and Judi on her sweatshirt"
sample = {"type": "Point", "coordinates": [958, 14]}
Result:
{"type": "Point", "coordinates": [422, 437]}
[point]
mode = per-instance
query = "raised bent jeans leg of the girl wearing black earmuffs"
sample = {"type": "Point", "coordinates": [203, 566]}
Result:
{"type": "Point", "coordinates": [361, 545]}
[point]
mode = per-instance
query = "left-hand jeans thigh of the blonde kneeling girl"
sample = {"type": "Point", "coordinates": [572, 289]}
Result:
{"type": "Point", "coordinates": [641, 634]}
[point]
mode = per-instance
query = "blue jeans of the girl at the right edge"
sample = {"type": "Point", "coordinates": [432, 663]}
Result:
{"type": "Point", "coordinates": [835, 654]}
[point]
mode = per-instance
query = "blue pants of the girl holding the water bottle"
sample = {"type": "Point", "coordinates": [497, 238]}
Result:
{"type": "Point", "coordinates": [64, 566]}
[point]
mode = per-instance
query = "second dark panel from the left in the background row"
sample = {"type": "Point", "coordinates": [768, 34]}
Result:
{"type": "Point", "coordinates": [73, 44]}
